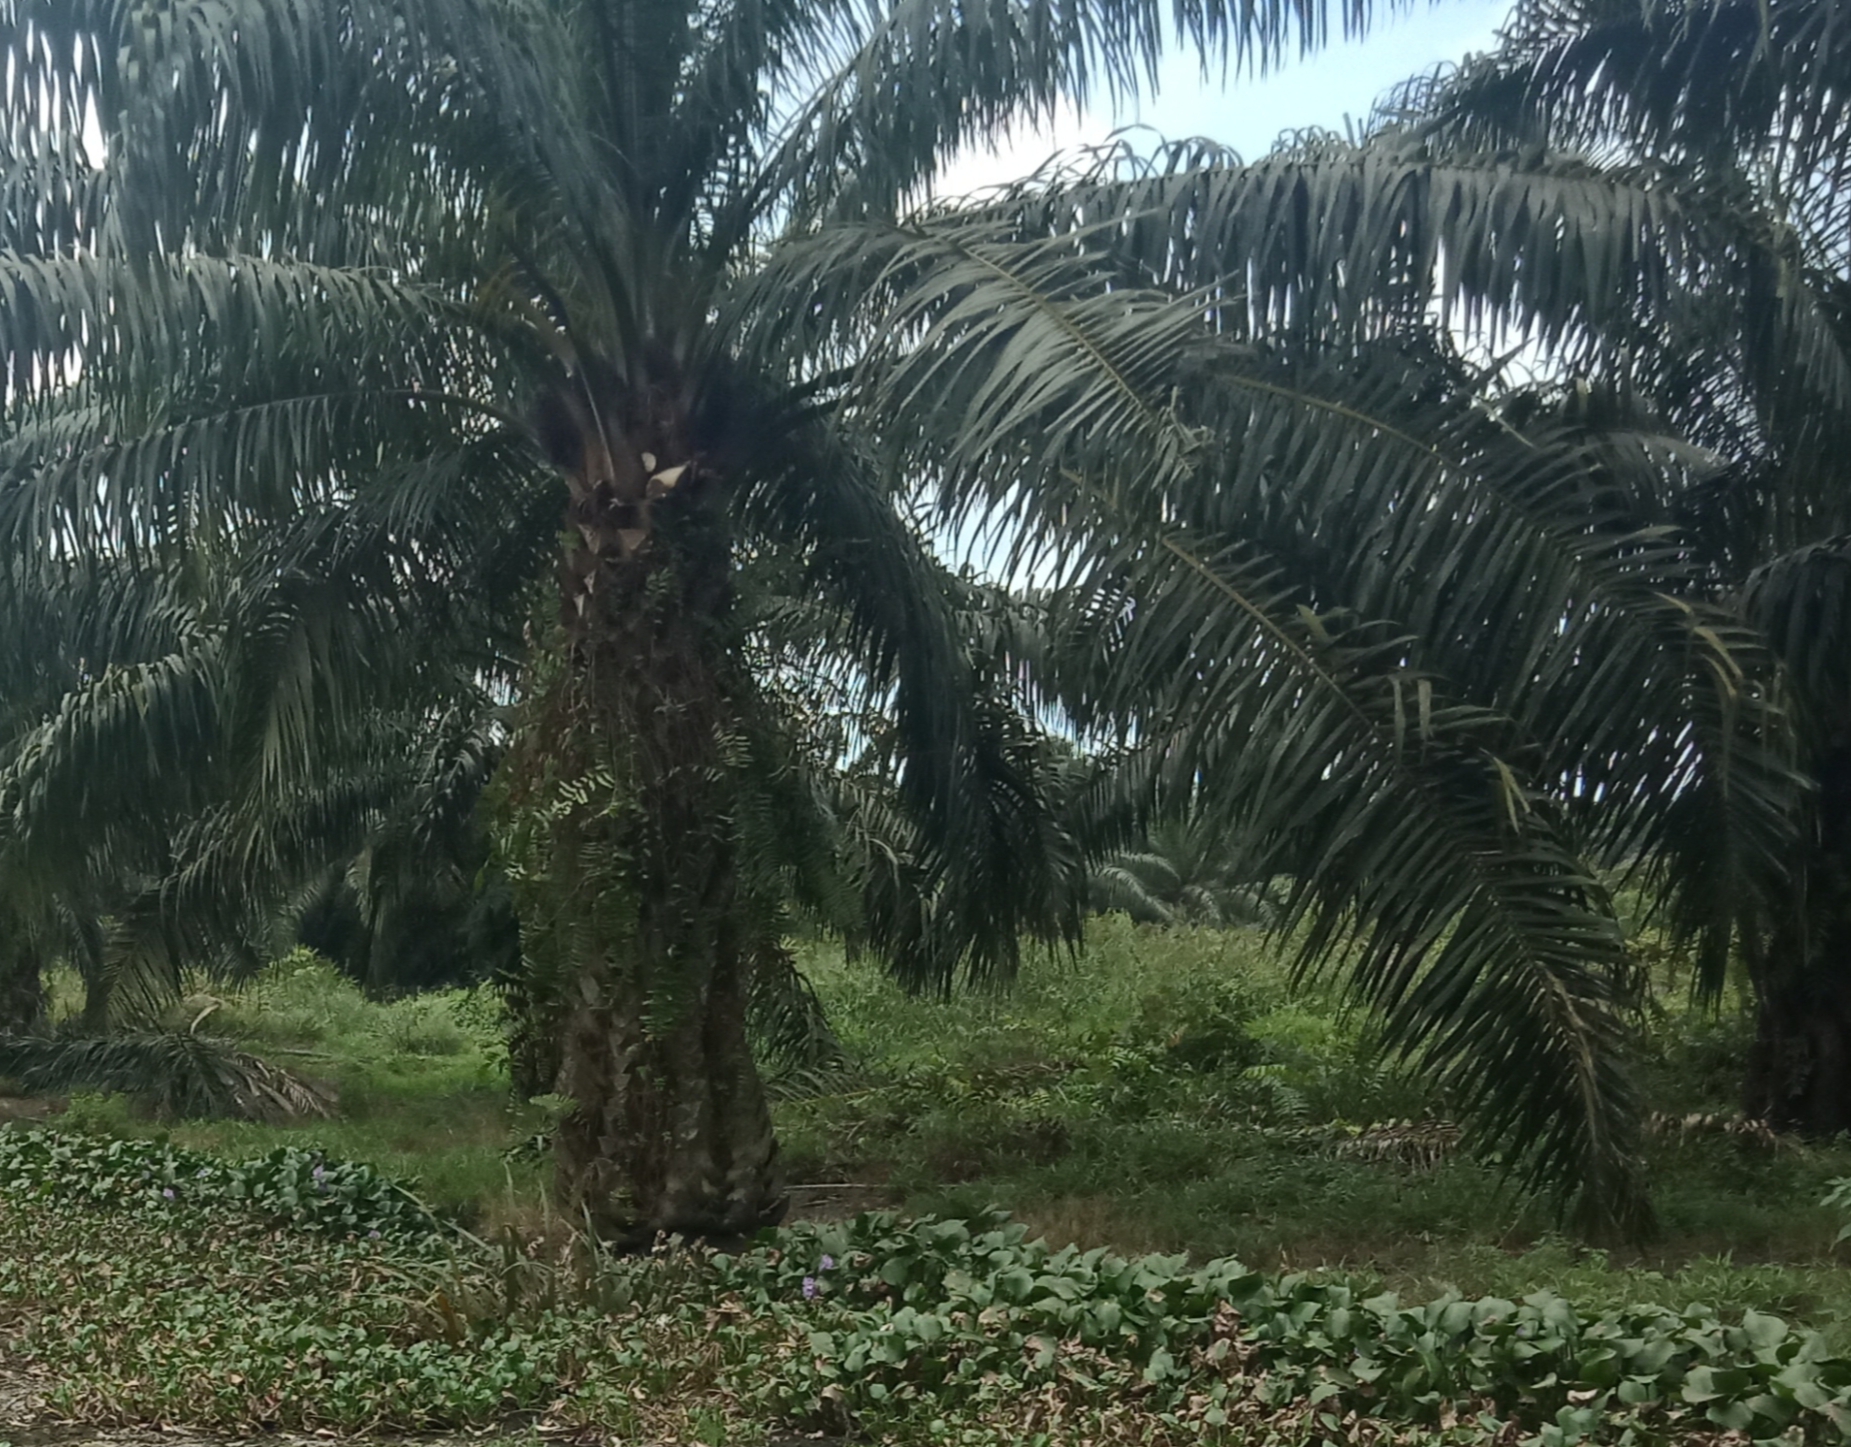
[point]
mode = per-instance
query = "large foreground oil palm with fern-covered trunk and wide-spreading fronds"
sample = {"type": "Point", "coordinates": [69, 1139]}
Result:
{"type": "Point", "coordinates": [454, 273]}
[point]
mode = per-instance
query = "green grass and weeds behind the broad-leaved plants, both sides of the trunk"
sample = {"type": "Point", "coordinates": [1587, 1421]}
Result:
{"type": "Point", "coordinates": [1162, 1093]}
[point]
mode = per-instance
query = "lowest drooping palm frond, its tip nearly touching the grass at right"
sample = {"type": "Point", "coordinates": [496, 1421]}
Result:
{"type": "Point", "coordinates": [1480, 932]}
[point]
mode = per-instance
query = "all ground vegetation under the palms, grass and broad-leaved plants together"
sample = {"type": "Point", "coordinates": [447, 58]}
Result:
{"type": "Point", "coordinates": [1169, 1093]}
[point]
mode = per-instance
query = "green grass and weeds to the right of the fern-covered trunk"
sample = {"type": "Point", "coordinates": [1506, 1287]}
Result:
{"type": "Point", "coordinates": [1174, 1091]}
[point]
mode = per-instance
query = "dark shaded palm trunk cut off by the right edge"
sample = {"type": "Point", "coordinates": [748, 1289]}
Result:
{"type": "Point", "coordinates": [1800, 1069]}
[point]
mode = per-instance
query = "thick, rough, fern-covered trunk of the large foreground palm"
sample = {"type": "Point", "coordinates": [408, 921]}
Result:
{"type": "Point", "coordinates": [651, 937]}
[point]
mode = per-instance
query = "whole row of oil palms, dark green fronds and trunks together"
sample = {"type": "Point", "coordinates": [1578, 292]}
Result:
{"type": "Point", "coordinates": [475, 467]}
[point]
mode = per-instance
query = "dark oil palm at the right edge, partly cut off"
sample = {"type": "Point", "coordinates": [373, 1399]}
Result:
{"type": "Point", "coordinates": [1741, 114]}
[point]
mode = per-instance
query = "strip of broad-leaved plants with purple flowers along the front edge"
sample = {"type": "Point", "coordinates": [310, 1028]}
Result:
{"type": "Point", "coordinates": [221, 1309]}
